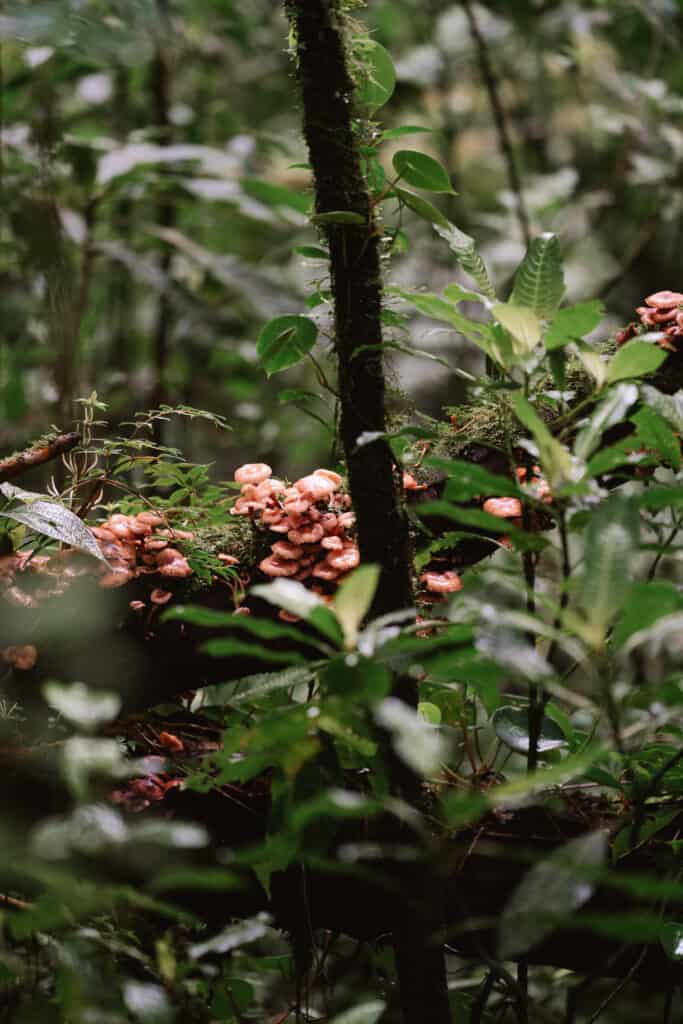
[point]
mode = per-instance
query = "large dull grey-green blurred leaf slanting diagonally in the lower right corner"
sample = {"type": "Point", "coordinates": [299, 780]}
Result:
{"type": "Point", "coordinates": [550, 893]}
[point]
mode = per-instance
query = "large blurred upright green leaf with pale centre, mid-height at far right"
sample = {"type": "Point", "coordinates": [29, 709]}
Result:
{"type": "Point", "coordinates": [612, 541]}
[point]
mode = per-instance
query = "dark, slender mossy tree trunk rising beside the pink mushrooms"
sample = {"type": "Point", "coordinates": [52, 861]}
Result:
{"type": "Point", "coordinates": [382, 526]}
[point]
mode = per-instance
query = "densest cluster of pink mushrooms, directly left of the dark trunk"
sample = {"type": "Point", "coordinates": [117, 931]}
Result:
{"type": "Point", "coordinates": [311, 519]}
